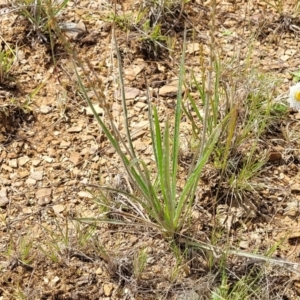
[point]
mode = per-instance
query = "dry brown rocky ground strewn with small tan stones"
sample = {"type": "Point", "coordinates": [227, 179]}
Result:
{"type": "Point", "coordinates": [51, 147]}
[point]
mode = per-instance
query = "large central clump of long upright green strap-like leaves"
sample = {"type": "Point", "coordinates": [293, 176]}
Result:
{"type": "Point", "coordinates": [156, 196]}
